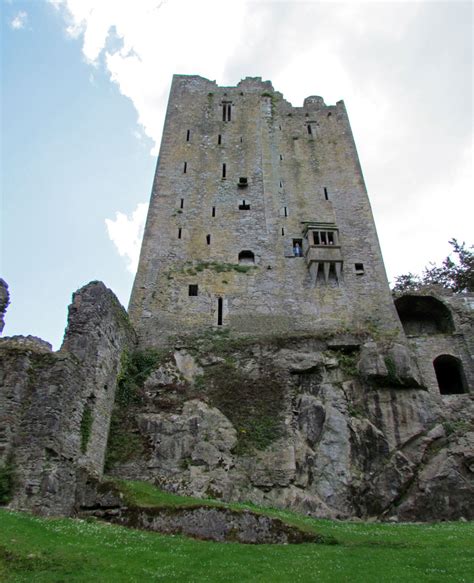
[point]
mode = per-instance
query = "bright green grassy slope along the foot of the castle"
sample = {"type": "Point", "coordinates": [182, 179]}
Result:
{"type": "Point", "coordinates": [56, 550]}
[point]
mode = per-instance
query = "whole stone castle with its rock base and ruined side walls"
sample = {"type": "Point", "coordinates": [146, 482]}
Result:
{"type": "Point", "coordinates": [263, 358]}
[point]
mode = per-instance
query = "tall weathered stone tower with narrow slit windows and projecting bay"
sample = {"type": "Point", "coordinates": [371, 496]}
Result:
{"type": "Point", "coordinates": [259, 219]}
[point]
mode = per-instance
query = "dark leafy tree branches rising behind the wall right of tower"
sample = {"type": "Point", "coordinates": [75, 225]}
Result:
{"type": "Point", "coordinates": [455, 274]}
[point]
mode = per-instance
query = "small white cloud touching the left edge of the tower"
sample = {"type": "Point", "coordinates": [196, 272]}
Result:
{"type": "Point", "coordinates": [126, 232]}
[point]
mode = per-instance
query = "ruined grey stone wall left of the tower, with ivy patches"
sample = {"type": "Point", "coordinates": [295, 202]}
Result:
{"type": "Point", "coordinates": [55, 406]}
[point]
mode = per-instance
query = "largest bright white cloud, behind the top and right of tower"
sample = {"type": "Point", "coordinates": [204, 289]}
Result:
{"type": "Point", "coordinates": [404, 70]}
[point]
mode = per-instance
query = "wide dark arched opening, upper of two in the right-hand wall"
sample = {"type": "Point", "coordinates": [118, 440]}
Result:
{"type": "Point", "coordinates": [422, 315]}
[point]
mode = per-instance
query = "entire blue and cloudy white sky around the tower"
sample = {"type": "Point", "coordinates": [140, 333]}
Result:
{"type": "Point", "coordinates": [84, 91]}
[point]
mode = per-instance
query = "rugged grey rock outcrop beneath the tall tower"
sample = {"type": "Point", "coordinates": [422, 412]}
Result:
{"type": "Point", "coordinates": [331, 432]}
